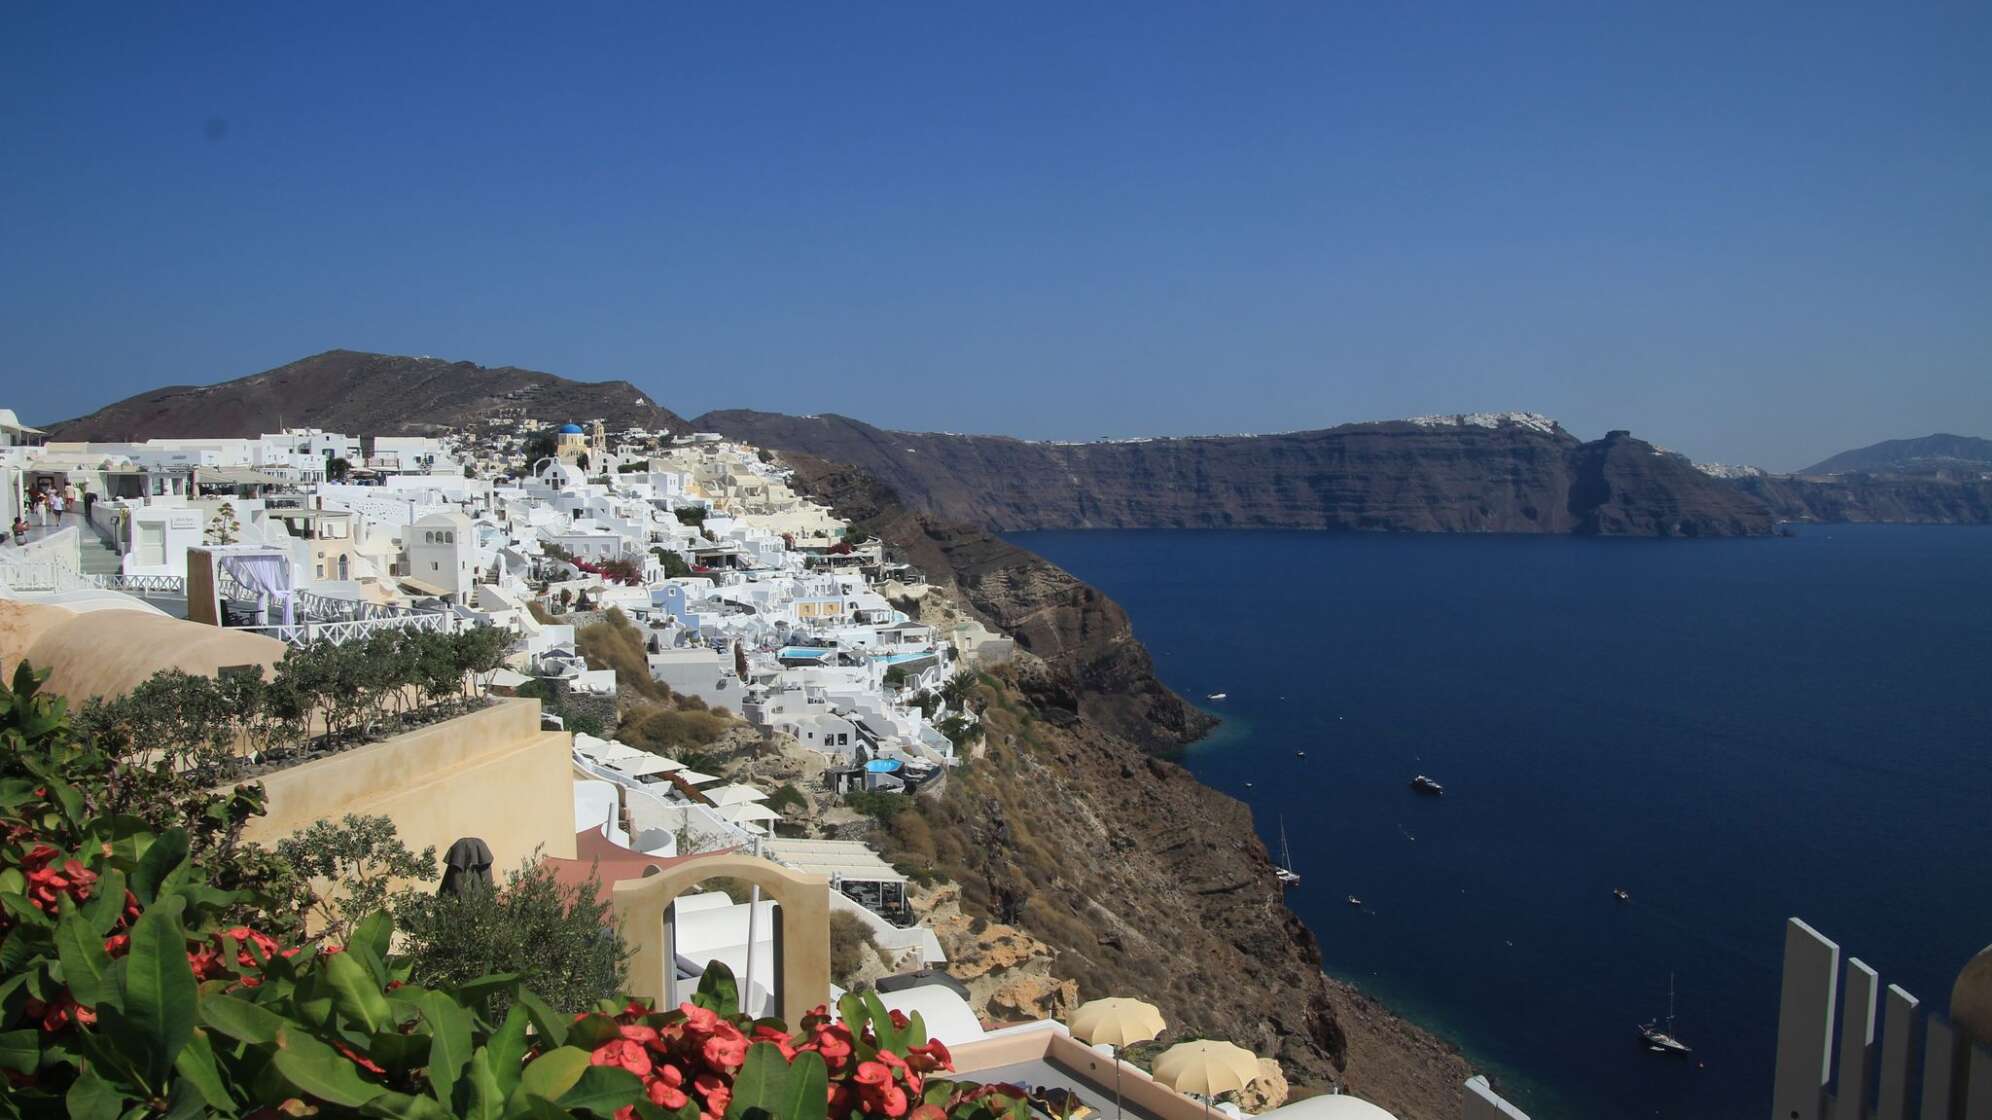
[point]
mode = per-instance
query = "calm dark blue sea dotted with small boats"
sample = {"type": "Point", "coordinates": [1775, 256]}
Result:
{"type": "Point", "coordinates": [1732, 730]}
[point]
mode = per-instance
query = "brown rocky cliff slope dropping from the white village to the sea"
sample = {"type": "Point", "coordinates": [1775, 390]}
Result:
{"type": "Point", "coordinates": [1071, 828]}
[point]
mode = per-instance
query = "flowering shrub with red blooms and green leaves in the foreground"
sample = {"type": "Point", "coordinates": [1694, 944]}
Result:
{"type": "Point", "coordinates": [130, 987]}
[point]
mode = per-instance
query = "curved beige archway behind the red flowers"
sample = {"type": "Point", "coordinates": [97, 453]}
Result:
{"type": "Point", "coordinates": [804, 930]}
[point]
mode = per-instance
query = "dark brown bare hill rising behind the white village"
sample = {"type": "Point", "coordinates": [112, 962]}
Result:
{"type": "Point", "coordinates": [360, 394]}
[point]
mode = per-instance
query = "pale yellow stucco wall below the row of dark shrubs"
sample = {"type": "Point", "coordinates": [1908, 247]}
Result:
{"type": "Point", "coordinates": [493, 774]}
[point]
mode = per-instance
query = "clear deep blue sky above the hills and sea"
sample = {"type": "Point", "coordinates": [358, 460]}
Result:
{"type": "Point", "coordinates": [1748, 232]}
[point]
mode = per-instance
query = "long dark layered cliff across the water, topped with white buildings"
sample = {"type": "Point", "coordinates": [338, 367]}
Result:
{"type": "Point", "coordinates": [1487, 473]}
